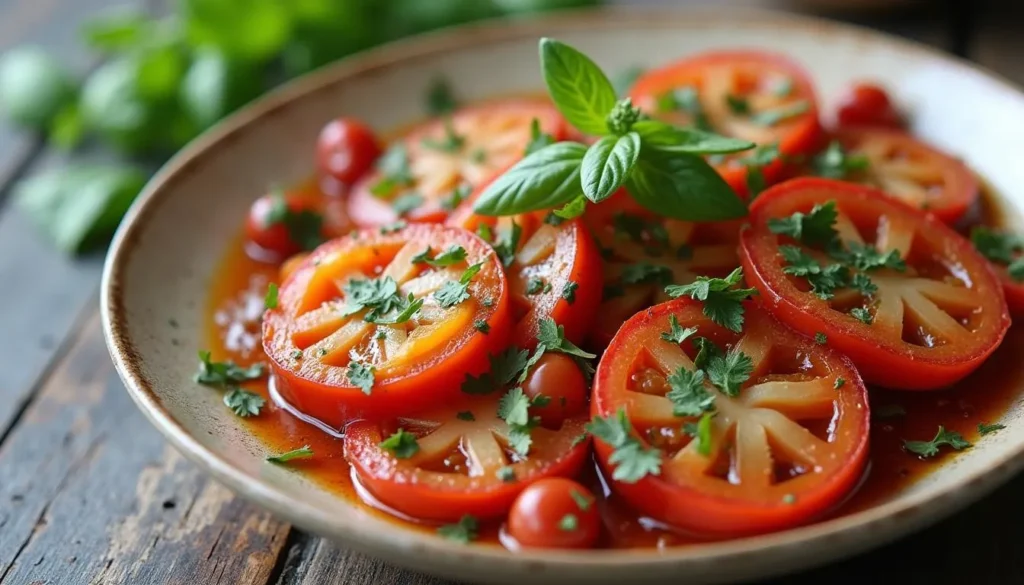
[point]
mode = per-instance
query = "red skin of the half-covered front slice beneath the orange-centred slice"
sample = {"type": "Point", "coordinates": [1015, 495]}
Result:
{"type": "Point", "coordinates": [380, 477]}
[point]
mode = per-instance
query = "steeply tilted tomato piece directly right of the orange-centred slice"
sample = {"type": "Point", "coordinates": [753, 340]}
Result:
{"type": "Point", "coordinates": [554, 272]}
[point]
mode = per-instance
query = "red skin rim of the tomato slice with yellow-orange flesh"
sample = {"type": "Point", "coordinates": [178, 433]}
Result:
{"type": "Point", "coordinates": [336, 403]}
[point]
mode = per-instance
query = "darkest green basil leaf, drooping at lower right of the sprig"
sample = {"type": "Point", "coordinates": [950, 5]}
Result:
{"type": "Point", "coordinates": [682, 187]}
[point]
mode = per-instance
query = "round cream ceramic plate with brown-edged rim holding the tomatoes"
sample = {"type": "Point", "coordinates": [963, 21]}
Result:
{"type": "Point", "coordinates": [168, 247]}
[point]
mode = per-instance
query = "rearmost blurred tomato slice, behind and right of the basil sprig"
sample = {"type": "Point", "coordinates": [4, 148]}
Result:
{"type": "Point", "coordinates": [754, 96]}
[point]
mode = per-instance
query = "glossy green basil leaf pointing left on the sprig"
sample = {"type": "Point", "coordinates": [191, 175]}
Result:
{"type": "Point", "coordinates": [547, 179]}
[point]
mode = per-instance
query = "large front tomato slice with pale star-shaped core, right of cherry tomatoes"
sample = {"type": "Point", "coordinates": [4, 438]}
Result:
{"type": "Point", "coordinates": [782, 452]}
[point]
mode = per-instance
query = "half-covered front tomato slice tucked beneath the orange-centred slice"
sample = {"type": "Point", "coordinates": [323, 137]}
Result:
{"type": "Point", "coordinates": [462, 467]}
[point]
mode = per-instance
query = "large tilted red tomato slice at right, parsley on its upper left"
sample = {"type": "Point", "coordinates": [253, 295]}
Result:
{"type": "Point", "coordinates": [930, 325]}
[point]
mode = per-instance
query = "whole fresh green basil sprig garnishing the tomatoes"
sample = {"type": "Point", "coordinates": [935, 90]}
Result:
{"type": "Point", "coordinates": [661, 165]}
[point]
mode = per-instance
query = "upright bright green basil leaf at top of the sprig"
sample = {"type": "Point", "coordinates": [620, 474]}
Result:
{"type": "Point", "coordinates": [579, 88]}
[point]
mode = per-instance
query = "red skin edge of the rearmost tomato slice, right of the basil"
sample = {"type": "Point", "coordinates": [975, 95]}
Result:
{"type": "Point", "coordinates": [801, 141]}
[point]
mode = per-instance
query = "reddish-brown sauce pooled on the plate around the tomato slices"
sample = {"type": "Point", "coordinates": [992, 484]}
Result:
{"type": "Point", "coordinates": [233, 323]}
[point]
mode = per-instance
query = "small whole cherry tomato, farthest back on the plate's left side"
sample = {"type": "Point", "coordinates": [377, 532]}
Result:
{"type": "Point", "coordinates": [347, 149]}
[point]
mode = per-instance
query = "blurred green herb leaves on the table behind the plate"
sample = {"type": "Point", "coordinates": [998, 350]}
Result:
{"type": "Point", "coordinates": [163, 81]}
